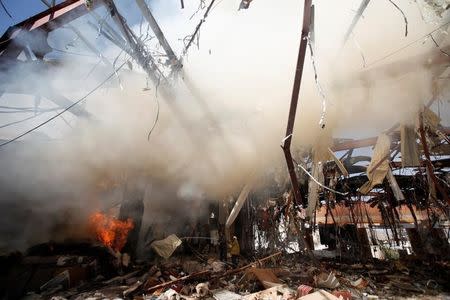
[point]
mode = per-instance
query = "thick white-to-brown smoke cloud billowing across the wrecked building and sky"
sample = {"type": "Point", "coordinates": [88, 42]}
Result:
{"type": "Point", "coordinates": [224, 119]}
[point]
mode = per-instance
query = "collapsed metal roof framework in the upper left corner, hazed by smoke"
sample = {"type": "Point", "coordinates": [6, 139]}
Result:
{"type": "Point", "coordinates": [14, 41]}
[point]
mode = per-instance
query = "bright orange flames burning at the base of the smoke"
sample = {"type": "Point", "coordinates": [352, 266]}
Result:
{"type": "Point", "coordinates": [110, 231]}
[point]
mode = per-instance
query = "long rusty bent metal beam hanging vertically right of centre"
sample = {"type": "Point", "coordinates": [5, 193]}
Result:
{"type": "Point", "coordinates": [286, 145]}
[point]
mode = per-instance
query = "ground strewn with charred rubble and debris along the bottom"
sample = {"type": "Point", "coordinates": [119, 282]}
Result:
{"type": "Point", "coordinates": [93, 272]}
